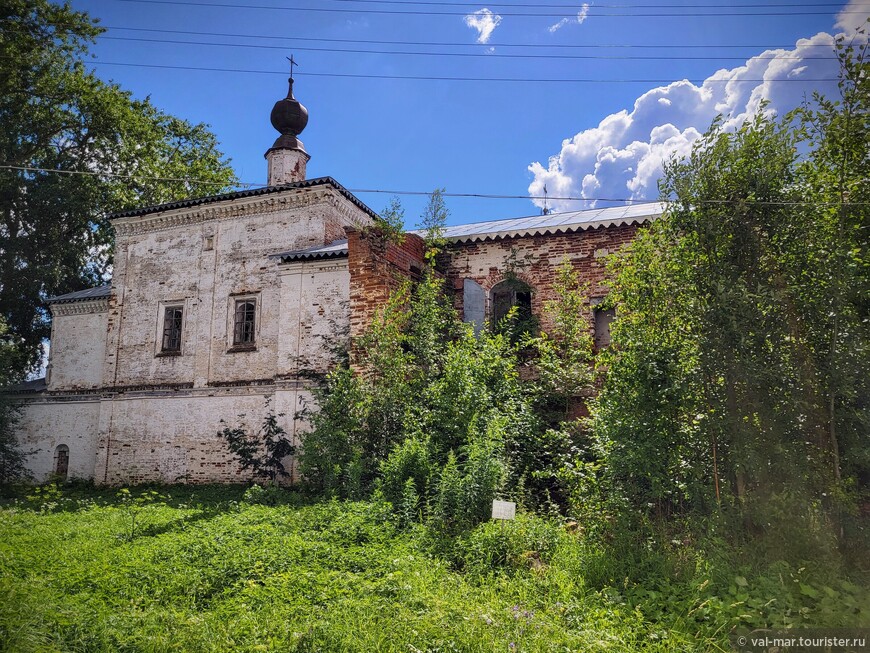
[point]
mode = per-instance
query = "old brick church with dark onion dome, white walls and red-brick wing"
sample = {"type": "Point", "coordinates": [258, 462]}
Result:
{"type": "Point", "coordinates": [219, 304]}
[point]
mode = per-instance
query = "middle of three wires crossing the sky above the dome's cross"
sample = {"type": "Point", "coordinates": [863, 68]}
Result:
{"type": "Point", "coordinates": [471, 54]}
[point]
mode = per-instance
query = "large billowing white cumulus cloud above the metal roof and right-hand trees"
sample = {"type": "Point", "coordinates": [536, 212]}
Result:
{"type": "Point", "coordinates": [622, 157]}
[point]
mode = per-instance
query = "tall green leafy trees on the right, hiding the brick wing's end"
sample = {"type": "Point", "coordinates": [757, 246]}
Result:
{"type": "Point", "coordinates": [738, 372]}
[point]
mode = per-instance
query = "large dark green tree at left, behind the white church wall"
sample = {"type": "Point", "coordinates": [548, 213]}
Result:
{"type": "Point", "coordinates": [55, 114]}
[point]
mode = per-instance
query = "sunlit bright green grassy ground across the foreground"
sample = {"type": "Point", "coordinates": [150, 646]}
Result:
{"type": "Point", "coordinates": [202, 569]}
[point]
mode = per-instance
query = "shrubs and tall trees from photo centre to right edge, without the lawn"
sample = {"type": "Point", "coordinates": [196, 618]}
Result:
{"type": "Point", "coordinates": [727, 441]}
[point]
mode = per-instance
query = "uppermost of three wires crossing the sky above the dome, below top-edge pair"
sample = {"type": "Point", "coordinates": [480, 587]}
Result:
{"type": "Point", "coordinates": [467, 45]}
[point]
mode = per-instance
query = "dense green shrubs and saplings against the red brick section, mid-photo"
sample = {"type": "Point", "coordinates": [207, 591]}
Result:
{"type": "Point", "coordinates": [431, 407]}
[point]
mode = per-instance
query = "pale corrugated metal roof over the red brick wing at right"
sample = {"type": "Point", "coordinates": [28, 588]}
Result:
{"type": "Point", "coordinates": [553, 223]}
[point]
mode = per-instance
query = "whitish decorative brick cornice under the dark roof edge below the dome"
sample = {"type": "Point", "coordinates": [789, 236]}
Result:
{"type": "Point", "coordinates": [239, 208]}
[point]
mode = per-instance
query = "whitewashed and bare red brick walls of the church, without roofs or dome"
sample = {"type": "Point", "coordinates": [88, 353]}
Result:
{"type": "Point", "coordinates": [127, 413]}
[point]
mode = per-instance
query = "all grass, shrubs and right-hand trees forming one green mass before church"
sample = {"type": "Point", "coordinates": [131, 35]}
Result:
{"type": "Point", "coordinates": [715, 487]}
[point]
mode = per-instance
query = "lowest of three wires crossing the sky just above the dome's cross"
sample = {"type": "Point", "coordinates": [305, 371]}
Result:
{"type": "Point", "coordinates": [429, 78]}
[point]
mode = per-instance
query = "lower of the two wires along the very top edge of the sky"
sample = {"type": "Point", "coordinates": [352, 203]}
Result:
{"type": "Point", "coordinates": [592, 11]}
